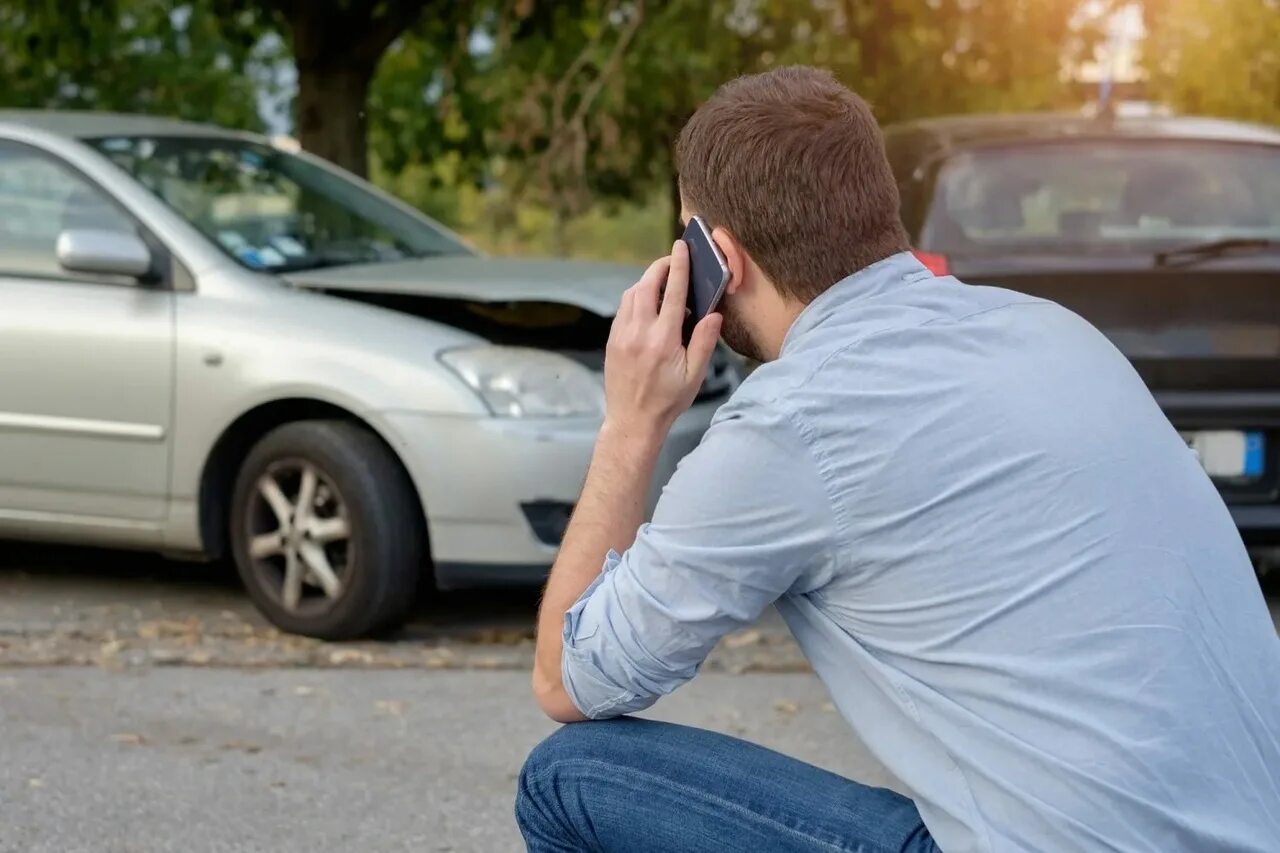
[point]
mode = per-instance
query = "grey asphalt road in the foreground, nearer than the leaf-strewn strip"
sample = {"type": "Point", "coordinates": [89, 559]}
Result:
{"type": "Point", "coordinates": [198, 760]}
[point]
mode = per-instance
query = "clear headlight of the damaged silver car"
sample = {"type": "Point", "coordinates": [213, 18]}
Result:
{"type": "Point", "coordinates": [520, 382]}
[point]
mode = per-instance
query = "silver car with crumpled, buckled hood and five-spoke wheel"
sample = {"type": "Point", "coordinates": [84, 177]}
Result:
{"type": "Point", "coordinates": [212, 345]}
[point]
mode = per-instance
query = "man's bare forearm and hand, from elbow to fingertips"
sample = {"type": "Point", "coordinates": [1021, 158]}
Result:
{"type": "Point", "coordinates": [650, 380]}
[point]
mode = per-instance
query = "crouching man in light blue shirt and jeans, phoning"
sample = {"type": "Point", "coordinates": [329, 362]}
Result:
{"type": "Point", "coordinates": [1012, 574]}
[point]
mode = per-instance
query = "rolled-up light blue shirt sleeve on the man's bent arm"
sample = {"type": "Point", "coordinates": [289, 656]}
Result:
{"type": "Point", "coordinates": [744, 517]}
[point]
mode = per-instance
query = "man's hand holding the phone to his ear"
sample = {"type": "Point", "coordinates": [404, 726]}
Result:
{"type": "Point", "coordinates": [650, 377]}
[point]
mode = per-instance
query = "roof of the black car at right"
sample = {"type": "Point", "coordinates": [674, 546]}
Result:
{"type": "Point", "coordinates": [959, 131]}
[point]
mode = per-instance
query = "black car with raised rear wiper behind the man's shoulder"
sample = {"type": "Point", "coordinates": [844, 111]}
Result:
{"type": "Point", "coordinates": [1163, 232]}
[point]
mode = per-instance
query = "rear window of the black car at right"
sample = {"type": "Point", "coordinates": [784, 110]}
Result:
{"type": "Point", "coordinates": [1089, 197]}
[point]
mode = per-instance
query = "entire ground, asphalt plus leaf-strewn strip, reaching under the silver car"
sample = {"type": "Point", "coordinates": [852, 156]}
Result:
{"type": "Point", "coordinates": [147, 706]}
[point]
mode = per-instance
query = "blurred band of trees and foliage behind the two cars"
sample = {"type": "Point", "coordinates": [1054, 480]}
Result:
{"type": "Point", "coordinates": [546, 129]}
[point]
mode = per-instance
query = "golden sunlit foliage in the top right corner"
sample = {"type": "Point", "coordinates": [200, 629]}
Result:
{"type": "Point", "coordinates": [1215, 58]}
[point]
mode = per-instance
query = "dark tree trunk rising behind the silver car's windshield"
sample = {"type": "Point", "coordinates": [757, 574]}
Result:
{"type": "Point", "coordinates": [331, 113]}
